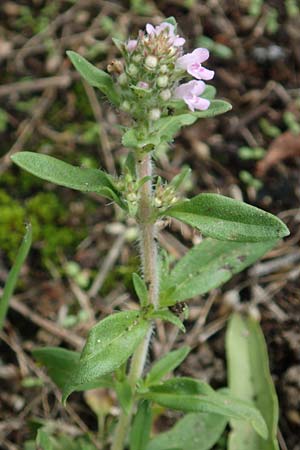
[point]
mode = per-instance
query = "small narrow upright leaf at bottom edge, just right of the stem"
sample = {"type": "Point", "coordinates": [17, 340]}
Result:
{"type": "Point", "coordinates": [141, 427]}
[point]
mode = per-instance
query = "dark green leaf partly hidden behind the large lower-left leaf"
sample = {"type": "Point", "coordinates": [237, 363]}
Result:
{"type": "Point", "coordinates": [60, 364]}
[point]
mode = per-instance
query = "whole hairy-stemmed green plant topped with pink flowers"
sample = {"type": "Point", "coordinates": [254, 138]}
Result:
{"type": "Point", "coordinates": [161, 89]}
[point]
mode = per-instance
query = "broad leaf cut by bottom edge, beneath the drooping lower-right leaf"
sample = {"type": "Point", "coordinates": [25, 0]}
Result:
{"type": "Point", "coordinates": [194, 431]}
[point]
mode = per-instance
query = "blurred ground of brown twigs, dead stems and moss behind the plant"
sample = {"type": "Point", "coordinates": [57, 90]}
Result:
{"type": "Point", "coordinates": [84, 251]}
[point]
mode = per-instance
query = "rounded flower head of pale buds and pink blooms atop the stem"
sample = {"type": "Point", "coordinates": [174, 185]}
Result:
{"type": "Point", "coordinates": [154, 66]}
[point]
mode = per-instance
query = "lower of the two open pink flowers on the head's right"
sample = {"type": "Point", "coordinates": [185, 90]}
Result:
{"type": "Point", "coordinates": [189, 93]}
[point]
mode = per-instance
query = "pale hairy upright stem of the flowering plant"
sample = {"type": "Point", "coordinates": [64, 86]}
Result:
{"type": "Point", "coordinates": [148, 249]}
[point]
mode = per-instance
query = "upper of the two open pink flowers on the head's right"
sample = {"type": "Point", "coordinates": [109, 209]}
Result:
{"type": "Point", "coordinates": [192, 63]}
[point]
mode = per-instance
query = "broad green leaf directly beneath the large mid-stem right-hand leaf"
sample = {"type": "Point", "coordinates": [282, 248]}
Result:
{"type": "Point", "coordinates": [207, 266]}
